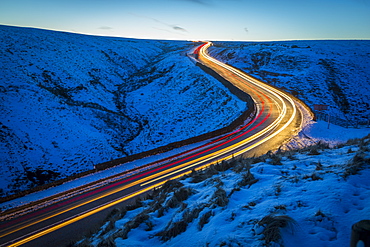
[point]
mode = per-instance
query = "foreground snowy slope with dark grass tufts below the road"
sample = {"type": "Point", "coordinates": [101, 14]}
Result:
{"type": "Point", "coordinates": [307, 197]}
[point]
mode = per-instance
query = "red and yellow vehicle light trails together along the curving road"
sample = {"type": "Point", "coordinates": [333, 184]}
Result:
{"type": "Point", "coordinates": [248, 137]}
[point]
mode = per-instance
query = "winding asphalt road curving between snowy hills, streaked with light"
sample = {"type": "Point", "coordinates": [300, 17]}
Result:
{"type": "Point", "coordinates": [276, 118]}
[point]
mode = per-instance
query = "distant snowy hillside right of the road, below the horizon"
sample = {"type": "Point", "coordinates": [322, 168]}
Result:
{"type": "Point", "coordinates": [335, 73]}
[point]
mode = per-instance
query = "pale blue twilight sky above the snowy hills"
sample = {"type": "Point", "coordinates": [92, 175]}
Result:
{"type": "Point", "coordinates": [248, 20]}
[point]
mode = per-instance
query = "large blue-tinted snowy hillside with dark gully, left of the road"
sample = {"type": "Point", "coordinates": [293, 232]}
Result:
{"type": "Point", "coordinates": [71, 101]}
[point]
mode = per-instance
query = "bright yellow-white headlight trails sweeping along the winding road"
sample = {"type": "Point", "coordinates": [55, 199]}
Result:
{"type": "Point", "coordinates": [176, 169]}
